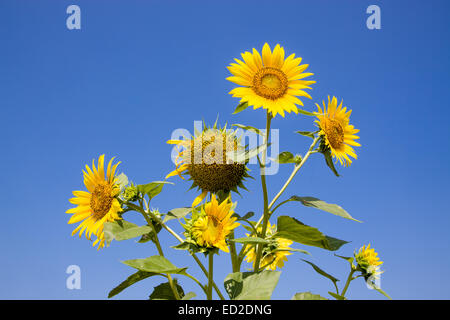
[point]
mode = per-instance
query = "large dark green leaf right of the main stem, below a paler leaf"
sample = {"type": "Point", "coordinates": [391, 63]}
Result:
{"type": "Point", "coordinates": [292, 229]}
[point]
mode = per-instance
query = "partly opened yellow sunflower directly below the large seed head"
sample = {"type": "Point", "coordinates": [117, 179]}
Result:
{"type": "Point", "coordinates": [211, 224]}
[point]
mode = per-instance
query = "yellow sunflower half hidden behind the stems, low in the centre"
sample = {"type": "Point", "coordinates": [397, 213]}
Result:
{"type": "Point", "coordinates": [274, 254]}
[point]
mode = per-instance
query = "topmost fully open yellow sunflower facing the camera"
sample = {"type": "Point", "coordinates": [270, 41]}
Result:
{"type": "Point", "coordinates": [270, 81]}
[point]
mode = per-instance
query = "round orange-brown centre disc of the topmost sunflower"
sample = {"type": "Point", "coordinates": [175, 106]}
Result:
{"type": "Point", "coordinates": [270, 83]}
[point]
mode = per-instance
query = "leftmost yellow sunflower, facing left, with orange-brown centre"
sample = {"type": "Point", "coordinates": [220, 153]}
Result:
{"type": "Point", "coordinates": [97, 205]}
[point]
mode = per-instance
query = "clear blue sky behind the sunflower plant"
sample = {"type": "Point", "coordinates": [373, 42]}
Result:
{"type": "Point", "coordinates": [137, 70]}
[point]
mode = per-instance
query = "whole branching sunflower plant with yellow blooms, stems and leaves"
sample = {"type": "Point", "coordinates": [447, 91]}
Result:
{"type": "Point", "coordinates": [215, 160]}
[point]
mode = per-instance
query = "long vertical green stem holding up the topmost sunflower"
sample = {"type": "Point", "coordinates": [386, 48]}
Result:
{"type": "Point", "coordinates": [265, 197]}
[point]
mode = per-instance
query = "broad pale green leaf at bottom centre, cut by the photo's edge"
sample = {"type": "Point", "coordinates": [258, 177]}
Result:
{"type": "Point", "coordinates": [251, 285]}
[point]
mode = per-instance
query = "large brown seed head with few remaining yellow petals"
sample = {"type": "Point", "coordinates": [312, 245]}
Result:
{"type": "Point", "coordinates": [205, 158]}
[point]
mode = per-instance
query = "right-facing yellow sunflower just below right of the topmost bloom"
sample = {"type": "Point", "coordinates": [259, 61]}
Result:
{"type": "Point", "coordinates": [336, 132]}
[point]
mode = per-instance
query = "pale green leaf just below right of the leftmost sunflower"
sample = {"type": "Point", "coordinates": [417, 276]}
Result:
{"type": "Point", "coordinates": [123, 230]}
